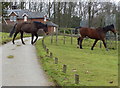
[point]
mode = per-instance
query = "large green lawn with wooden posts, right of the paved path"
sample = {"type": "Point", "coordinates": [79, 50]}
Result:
{"type": "Point", "coordinates": [95, 68]}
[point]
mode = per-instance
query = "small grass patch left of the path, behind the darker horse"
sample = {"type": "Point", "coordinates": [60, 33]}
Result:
{"type": "Point", "coordinates": [5, 37]}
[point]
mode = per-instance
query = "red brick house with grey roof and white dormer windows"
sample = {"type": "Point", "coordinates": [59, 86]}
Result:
{"type": "Point", "coordinates": [19, 15]}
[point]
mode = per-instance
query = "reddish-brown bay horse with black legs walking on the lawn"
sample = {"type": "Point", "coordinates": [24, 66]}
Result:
{"type": "Point", "coordinates": [97, 34]}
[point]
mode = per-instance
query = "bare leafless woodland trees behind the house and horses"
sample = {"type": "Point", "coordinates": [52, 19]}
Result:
{"type": "Point", "coordinates": [70, 14]}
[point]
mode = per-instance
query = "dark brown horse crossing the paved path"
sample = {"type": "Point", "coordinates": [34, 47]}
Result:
{"type": "Point", "coordinates": [28, 27]}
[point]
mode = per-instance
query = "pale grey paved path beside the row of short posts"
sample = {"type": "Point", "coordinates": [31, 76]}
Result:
{"type": "Point", "coordinates": [23, 69]}
